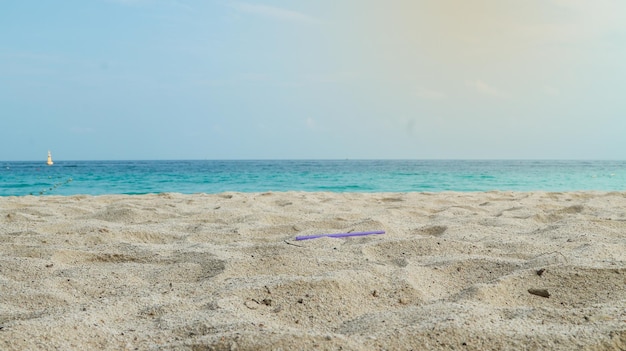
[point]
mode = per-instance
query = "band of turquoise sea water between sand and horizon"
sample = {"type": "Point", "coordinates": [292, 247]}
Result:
{"type": "Point", "coordinates": [217, 176]}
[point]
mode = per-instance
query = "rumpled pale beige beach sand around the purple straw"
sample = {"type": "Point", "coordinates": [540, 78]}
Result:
{"type": "Point", "coordinates": [224, 272]}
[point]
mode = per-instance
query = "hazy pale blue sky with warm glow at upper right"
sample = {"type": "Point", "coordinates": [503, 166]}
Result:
{"type": "Point", "coordinates": [322, 79]}
